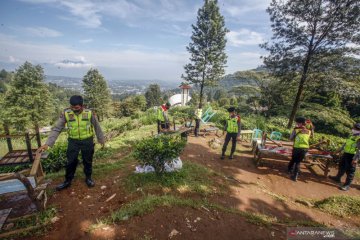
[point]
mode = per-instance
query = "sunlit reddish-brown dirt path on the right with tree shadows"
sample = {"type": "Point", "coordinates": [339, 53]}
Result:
{"type": "Point", "coordinates": [259, 189]}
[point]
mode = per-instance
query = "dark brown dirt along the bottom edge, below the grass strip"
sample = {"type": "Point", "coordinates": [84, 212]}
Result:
{"type": "Point", "coordinates": [187, 223]}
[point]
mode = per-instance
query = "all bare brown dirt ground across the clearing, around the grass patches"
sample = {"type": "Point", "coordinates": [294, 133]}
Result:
{"type": "Point", "coordinates": [251, 189]}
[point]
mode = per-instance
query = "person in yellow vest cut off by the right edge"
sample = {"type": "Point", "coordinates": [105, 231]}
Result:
{"type": "Point", "coordinates": [349, 159]}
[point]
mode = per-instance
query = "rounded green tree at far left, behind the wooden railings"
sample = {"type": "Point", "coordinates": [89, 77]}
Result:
{"type": "Point", "coordinates": [28, 99]}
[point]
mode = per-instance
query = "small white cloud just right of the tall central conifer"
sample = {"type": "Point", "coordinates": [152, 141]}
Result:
{"type": "Point", "coordinates": [244, 37]}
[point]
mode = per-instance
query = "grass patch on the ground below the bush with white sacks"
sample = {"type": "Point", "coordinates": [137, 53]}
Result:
{"type": "Point", "coordinates": [192, 178]}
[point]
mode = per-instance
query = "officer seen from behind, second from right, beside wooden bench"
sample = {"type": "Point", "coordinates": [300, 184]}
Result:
{"type": "Point", "coordinates": [300, 136]}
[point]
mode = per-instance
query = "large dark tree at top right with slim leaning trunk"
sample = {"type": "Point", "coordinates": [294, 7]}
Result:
{"type": "Point", "coordinates": [308, 37]}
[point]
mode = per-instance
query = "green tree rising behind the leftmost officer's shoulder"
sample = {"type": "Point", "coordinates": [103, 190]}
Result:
{"type": "Point", "coordinates": [97, 94]}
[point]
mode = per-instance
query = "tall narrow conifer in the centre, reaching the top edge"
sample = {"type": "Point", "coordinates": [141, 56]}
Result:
{"type": "Point", "coordinates": [207, 49]}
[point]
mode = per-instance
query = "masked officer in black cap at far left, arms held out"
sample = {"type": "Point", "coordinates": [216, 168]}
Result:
{"type": "Point", "coordinates": [81, 124]}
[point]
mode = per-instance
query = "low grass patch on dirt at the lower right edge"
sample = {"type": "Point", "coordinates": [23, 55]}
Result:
{"type": "Point", "coordinates": [342, 206]}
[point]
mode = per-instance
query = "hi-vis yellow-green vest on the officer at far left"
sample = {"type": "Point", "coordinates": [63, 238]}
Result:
{"type": "Point", "coordinates": [79, 126]}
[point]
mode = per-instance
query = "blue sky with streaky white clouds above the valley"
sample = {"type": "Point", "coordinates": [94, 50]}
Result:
{"type": "Point", "coordinates": [124, 39]}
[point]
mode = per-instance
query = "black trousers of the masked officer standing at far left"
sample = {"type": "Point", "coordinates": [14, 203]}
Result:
{"type": "Point", "coordinates": [86, 147]}
